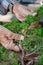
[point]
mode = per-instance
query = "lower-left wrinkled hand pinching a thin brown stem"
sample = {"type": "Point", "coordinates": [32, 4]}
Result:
{"type": "Point", "coordinates": [6, 39]}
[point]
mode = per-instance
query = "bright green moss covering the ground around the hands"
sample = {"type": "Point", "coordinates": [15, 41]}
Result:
{"type": "Point", "coordinates": [28, 43]}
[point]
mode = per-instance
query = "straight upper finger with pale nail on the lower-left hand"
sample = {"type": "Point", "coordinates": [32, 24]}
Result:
{"type": "Point", "coordinates": [10, 35]}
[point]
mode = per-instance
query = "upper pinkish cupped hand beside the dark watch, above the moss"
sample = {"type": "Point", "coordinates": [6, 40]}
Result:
{"type": "Point", "coordinates": [21, 11]}
